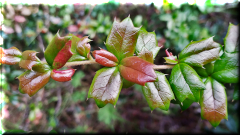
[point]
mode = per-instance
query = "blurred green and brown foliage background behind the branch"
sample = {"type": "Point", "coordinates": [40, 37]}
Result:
{"type": "Point", "coordinates": [62, 107]}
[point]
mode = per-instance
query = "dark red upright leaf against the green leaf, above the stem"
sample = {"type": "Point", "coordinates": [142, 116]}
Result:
{"type": "Point", "coordinates": [63, 56]}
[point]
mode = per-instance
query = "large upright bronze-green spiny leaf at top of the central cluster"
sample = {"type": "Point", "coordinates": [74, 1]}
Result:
{"type": "Point", "coordinates": [122, 38]}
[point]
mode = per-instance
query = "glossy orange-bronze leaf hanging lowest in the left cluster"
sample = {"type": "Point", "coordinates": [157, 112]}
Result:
{"type": "Point", "coordinates": [31, 81]}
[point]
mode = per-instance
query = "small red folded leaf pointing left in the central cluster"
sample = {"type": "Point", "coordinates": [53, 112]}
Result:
{"type": "Point", "coordinates": [105, 58]}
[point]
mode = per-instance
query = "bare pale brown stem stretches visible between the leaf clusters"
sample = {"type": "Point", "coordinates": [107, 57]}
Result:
{"type": "Point", "coordinates": [76, 63]}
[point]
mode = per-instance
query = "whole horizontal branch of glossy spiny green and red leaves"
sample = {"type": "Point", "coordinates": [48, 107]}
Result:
{"type": "Point", "coordinates": [198, 73]}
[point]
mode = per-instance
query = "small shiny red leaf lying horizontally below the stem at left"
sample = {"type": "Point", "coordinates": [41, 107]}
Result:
{"type": "Point", "coordinates": [63, 75]}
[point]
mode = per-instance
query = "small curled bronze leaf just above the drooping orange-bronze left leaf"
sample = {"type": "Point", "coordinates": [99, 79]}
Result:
{"type": "Point", "coordinates": [29, 59]}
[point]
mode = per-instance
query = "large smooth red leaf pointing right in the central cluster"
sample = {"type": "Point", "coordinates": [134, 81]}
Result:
{"type": "Point", "coordinates": [137, 70]}
